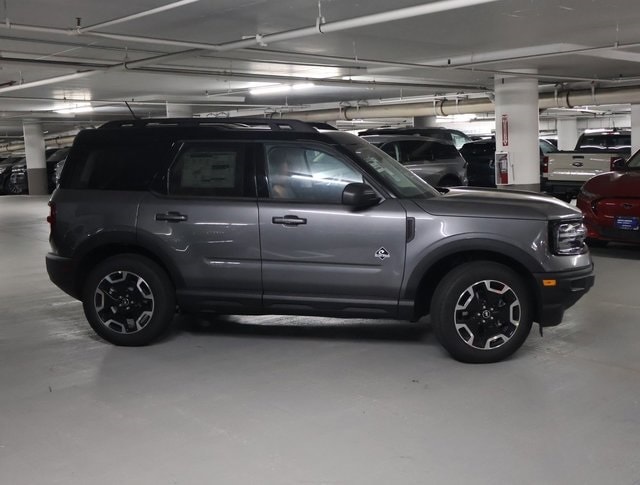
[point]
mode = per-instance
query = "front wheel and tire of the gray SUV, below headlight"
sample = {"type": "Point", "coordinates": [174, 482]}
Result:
{"type": "Point", "coordinates": [481, 312]}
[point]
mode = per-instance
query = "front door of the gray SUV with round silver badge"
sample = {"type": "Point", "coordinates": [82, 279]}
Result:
{"type": "Point", "coordinates": [319, 255]}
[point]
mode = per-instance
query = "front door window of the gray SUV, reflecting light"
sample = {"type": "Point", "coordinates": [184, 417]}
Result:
{"type": "Point", "coordinates": [305, 174]}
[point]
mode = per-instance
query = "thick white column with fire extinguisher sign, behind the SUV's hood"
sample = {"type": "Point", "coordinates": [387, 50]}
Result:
{"type": "Point", "coordinates": [516, 100]}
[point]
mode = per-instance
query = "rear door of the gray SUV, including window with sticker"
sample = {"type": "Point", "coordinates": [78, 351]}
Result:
{"type": "Point", "coordinates": [206, 225]}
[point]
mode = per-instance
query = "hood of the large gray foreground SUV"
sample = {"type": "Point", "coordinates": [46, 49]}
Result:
{"type": "Point", "coordinates": [498, 203]}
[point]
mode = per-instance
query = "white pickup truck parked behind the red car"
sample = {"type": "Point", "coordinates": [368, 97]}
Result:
{"type": "Point", "coordinates": [564, 172]}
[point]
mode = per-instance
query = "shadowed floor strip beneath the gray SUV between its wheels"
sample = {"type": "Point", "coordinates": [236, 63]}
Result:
{"type": "Point", "coordinates": [297, 327]}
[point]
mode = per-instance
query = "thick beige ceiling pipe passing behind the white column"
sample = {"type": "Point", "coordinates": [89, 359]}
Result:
{"type": "Point", "coordinates": [444, 107]}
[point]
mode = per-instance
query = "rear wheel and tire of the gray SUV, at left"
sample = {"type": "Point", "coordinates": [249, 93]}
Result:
{"type": "Point", "coordinates": [128, 300]}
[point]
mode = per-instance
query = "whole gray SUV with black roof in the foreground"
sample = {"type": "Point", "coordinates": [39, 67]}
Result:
{"type": "Point", "coordinates": [275, 217]}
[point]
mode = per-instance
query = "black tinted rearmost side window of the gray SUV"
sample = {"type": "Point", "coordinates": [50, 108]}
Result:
{"type": "Point", "coordinates": [113, 167]}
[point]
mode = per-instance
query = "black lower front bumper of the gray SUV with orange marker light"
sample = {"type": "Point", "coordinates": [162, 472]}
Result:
{"type": "Point", "coordinates": [555, 298]}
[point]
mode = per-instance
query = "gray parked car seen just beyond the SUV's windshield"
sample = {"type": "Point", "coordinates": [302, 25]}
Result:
{"type": "Point", "coordinates": [435, 161]}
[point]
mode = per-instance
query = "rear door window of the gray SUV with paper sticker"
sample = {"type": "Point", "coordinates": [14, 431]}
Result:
{"type": "Point", "coordinates": [212, 170]}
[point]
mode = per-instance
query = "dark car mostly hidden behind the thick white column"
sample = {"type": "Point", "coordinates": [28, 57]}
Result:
{"type": "Point", "coordinates": [480, 156]}
